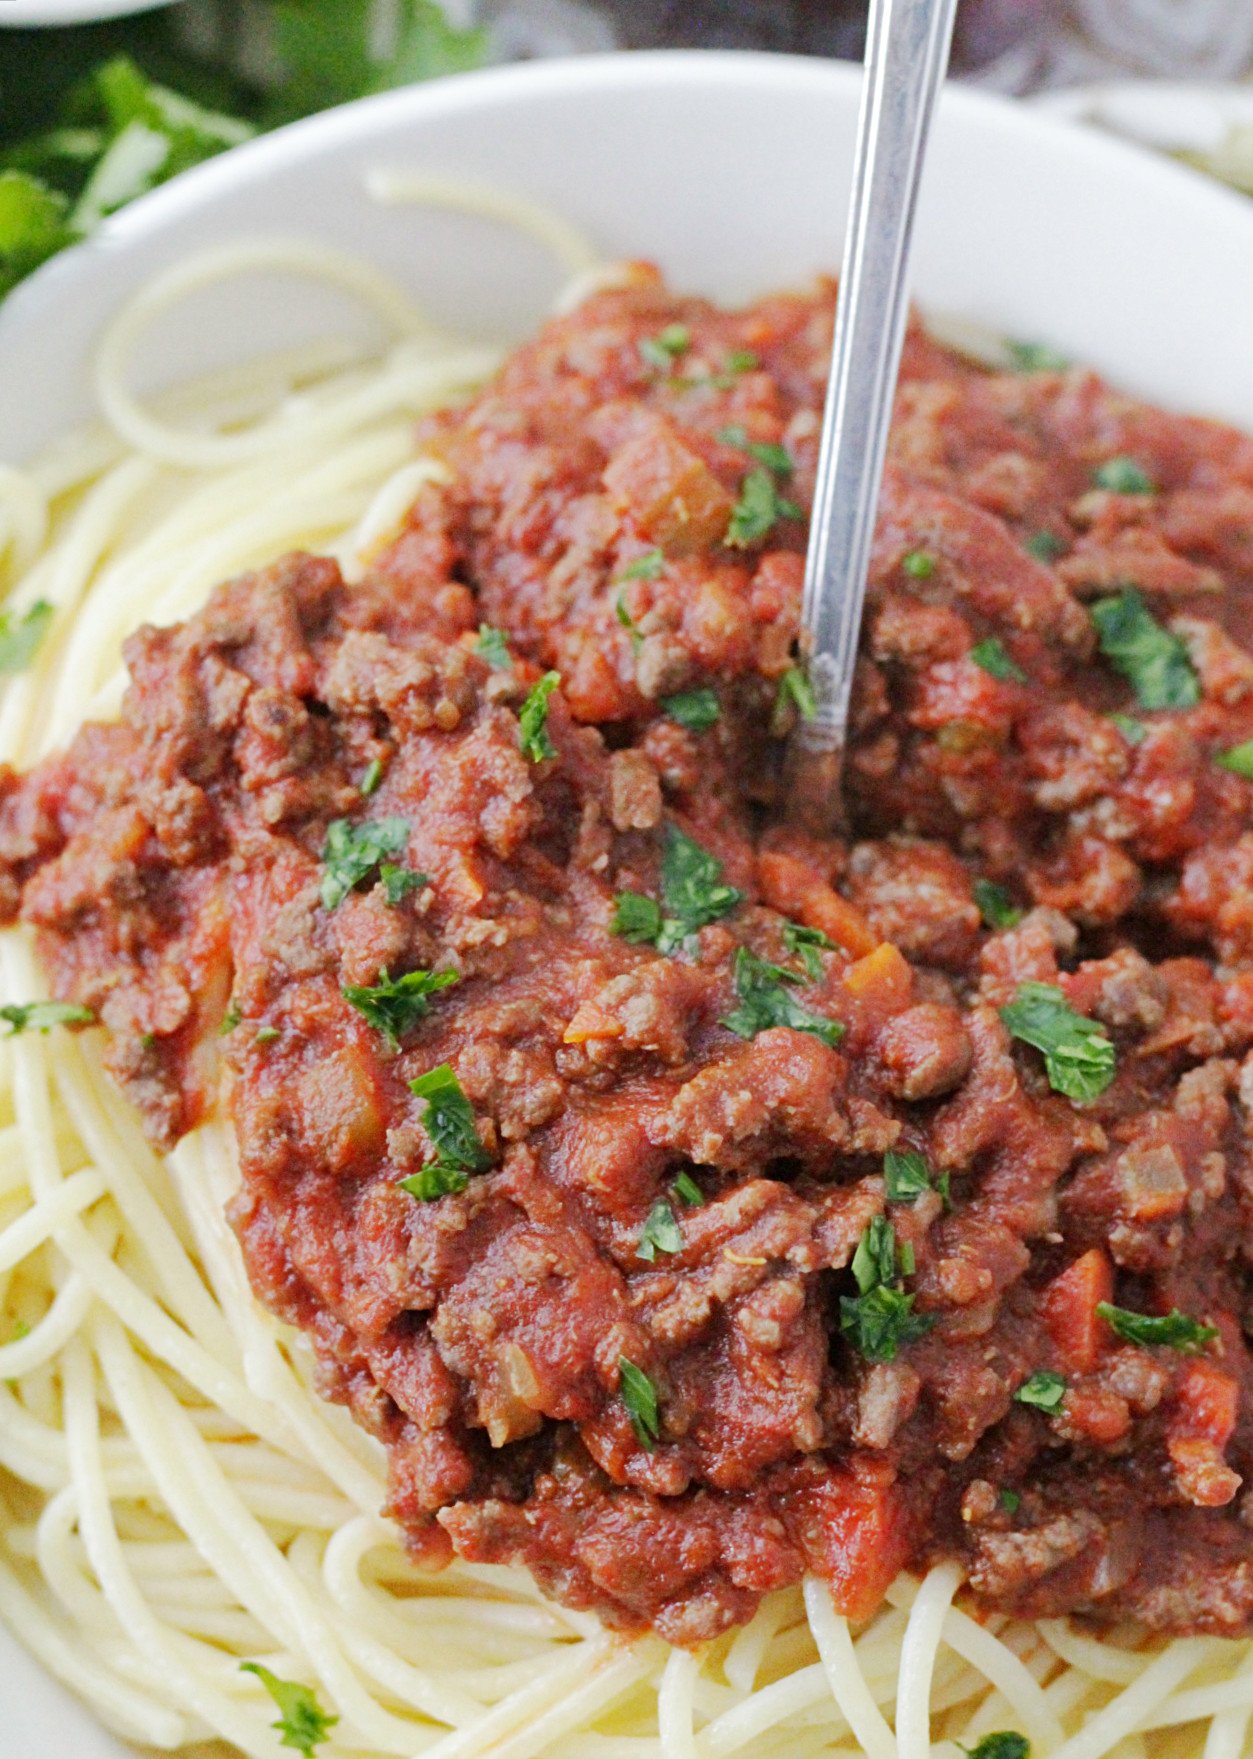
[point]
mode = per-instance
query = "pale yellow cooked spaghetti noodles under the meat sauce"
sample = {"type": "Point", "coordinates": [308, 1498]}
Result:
{"type": "Point", "coordinates": [175, 1496]}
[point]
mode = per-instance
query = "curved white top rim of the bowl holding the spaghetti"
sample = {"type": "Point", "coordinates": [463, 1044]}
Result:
{"type": "Point", "coordinates": [641, 69]}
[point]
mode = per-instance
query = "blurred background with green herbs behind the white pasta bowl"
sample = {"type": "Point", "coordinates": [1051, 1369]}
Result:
{"type": "Point", "coordinates": [99, 103]}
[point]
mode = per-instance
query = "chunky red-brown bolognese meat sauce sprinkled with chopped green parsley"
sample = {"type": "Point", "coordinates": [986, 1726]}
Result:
{"type": "Point", "coordinates": [684, 1202]}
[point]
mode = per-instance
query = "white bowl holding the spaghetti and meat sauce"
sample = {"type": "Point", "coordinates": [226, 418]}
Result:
{"type": "Point", "coordinates": [729, 170]}
